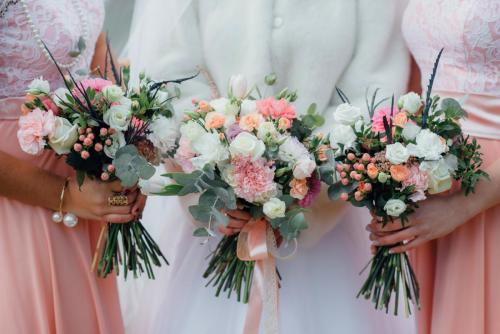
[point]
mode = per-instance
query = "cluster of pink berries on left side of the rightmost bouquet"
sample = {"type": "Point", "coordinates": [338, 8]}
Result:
{"type": "Point", "coordinates": [356, 169]}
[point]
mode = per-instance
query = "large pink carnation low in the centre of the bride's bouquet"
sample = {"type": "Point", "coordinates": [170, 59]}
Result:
{"type": "Point", "coordinates": [253, 179]}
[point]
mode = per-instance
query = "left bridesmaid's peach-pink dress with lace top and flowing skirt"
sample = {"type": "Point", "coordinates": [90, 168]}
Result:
{"type": "Point", "coordinates": [45, 282]}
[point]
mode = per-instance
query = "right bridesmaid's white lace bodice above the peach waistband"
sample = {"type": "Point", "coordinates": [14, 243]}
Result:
{"type": "Point", "coordinates": [469, 31]}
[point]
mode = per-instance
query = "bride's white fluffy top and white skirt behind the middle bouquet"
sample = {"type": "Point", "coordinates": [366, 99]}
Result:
{"type": "Point", "coordinates": [312, 46]}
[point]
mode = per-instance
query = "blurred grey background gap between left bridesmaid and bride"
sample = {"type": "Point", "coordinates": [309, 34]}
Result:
{"type": "Point", "coordinates": [117, 24]}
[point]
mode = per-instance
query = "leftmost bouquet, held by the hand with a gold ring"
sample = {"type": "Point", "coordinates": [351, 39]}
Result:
{"type": "Point", "coordinates": [109, 132]}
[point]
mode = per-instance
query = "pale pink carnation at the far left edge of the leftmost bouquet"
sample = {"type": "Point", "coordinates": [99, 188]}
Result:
{"type": "Point", "coordinates": [33, 128]}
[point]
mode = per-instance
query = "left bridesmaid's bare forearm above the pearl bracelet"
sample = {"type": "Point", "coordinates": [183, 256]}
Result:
{"type": "Point", "coordinates": [21, 181]}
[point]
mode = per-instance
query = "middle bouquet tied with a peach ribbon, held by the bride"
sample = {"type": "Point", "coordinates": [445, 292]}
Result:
{"type": "Point", "coordinates": [259, 155]}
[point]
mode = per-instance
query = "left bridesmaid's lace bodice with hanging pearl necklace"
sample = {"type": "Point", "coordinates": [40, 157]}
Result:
{"type": "Point", "coordinates": [21, 59]}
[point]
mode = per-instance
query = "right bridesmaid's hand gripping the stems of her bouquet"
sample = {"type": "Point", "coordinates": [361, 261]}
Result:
{"type": "Point", "coordinates": [430, 221]}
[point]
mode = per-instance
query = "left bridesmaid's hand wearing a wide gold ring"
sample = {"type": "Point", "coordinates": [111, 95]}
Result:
{"type": "Point", "coordinates": [91, 201]}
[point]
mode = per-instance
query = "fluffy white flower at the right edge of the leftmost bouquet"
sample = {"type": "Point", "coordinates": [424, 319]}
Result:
{"type": "Point", "coordinates": [164, 132]}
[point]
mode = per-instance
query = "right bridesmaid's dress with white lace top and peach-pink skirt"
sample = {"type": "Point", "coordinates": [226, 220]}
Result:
{"type": "Point", "coordinates": [459, 274]}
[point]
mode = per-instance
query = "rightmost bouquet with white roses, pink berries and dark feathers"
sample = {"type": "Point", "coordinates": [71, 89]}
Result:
{"type": "Point", "coordinates": [405, 154]}
